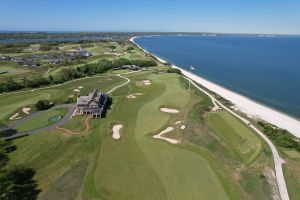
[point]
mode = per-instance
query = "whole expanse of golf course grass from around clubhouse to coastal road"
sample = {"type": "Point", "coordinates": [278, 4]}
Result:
{"type": "Point", "coordinates": [138, 166]}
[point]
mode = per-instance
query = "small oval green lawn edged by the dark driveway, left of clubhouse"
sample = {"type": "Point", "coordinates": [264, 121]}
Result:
{"type": "Point", "coordinates": [42, 120]}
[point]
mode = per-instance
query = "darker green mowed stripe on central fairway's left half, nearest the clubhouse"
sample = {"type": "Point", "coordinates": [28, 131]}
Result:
{"type": "Point", "coordinates": [122, 171]}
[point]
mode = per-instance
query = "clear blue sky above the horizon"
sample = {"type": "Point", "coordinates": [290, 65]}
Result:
{"type": "Point", "coordinates": [221, 16]}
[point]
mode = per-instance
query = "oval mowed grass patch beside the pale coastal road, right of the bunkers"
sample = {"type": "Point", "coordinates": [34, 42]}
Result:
{"type": "Point", "coordinates": [246, 144]}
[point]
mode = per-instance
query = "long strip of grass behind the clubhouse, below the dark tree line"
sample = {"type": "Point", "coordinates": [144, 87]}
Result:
{"type": "Point", "coordinates": [9, 103]}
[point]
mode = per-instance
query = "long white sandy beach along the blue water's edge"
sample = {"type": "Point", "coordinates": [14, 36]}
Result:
{"type": "Point", "coordinates": [243, 104]}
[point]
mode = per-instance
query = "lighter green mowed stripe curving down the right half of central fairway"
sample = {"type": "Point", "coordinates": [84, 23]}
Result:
{"type": "Point", "coordinates": [184, 174]}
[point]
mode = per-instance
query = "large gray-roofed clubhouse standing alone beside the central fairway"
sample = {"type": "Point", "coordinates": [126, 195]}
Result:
{"type": "Point", "coordinates": [93, 104]}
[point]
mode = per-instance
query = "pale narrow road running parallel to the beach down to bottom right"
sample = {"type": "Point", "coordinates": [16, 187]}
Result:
{"type": "Point", "coordinates": [278, 161]}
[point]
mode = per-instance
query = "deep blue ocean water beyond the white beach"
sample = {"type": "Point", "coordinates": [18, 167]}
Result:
{"type": "Point", "coordinates": [265, 69]}
